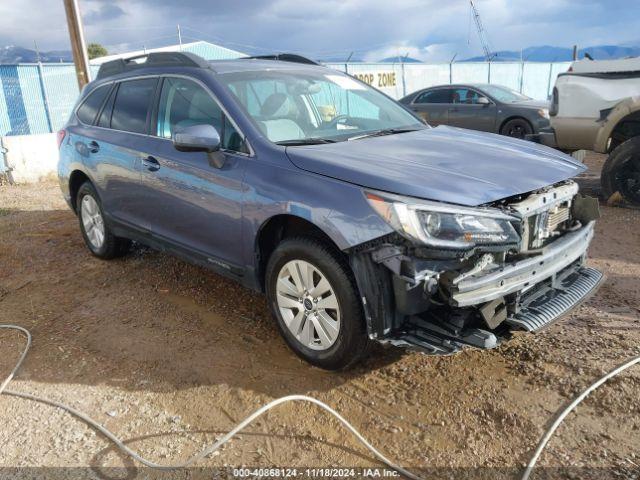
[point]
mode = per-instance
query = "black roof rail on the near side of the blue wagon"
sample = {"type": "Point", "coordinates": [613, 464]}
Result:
{"type": "Point", "coordinates": [157, 59]}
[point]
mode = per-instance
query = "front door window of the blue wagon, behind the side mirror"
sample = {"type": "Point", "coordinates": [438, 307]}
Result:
{"type": "Point", "coordinates": [184, 103]}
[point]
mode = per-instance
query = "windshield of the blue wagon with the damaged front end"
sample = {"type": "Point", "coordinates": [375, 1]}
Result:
{"type": "Point", "coordinates": [307, 106]}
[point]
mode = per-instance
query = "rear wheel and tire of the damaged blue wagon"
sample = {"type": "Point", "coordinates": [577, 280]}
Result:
{"type": "Point", "coordinates": [96, 233]}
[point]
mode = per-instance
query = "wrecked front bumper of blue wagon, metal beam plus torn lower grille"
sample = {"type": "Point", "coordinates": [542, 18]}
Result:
{"type": "Point", "coordinates": [528, 294]}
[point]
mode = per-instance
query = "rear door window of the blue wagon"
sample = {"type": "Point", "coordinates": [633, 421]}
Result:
{"type": "Point", "coordinates": [132, 105]}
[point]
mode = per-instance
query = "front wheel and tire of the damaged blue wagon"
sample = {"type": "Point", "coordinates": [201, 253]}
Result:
{"type": "Point", "coordinates": [312, 295]}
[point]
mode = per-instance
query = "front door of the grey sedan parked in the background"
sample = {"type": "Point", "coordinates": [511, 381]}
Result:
{"type": "Point", "coordinates": [465, 110]}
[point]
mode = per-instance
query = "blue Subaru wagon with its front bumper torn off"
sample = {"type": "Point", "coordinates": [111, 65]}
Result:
{"type": "Point", "coordinates": [357, 220]}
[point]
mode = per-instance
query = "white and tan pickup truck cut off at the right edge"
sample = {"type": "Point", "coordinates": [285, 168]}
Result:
{"type": "Point", "coordinates": [596, 106]}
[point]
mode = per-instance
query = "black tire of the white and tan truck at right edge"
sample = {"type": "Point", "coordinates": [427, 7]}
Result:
{"type": "Point", "coordinates": [621, 172]}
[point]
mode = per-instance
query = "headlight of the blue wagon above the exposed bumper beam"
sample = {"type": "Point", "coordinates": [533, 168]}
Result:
{"type": "Point", "coordinates": [443, 225]}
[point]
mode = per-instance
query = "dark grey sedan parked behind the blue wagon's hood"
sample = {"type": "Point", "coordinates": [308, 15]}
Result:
{"type": "Point", "coordinates": [484, 107]}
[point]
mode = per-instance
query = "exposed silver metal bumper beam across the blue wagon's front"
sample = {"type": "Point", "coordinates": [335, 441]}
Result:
{"type": "Point", "coordinates": [523, 274]}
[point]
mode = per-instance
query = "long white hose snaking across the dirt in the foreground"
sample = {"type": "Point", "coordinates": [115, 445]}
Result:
{"type": "Point", "coordinates": [290, 398]}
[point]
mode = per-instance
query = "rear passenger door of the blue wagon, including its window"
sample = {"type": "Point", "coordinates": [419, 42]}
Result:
{"type": "Point", "coordinates": [113, 150]}
